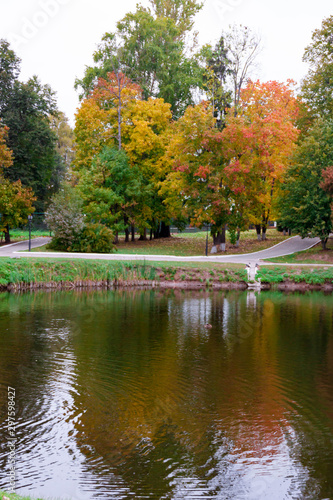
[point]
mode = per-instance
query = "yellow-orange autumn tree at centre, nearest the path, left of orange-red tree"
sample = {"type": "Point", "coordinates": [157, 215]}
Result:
{"type": "Point", "coordinates": [197, 186]}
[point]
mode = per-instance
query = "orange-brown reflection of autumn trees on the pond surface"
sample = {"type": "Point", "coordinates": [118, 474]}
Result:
{"type": "Point", "coordinates": [207, 397]}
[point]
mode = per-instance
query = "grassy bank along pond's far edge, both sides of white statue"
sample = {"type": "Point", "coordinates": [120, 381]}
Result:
{"type": "Point", "coordinates": [78, 273]}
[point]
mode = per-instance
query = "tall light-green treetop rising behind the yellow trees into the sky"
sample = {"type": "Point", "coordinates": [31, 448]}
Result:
{"type": "Point", "coordinates": [149, 48]}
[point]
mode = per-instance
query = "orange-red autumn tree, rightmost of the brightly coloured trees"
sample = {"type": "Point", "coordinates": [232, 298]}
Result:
{"type": "Point", "coordinates": [258, 143]}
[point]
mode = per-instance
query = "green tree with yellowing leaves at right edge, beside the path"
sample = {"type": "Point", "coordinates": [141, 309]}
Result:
{"type": "Point", "coordinates": [305, 207]}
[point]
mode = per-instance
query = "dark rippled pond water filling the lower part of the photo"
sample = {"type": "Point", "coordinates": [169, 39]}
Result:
{"type": "Point", "coordinates": [126, 395]}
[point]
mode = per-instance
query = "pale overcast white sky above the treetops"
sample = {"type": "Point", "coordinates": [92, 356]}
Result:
{"type": "Point", "coordinates": [56, 38]}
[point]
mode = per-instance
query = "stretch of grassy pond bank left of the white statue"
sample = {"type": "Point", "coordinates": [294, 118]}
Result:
{"type": "Point", "coordinates": [30, 271]}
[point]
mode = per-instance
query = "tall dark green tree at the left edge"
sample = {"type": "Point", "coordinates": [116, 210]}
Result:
{"type": "Point", "coordinates": [25, 110]}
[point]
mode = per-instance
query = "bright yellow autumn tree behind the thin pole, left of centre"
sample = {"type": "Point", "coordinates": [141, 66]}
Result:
{"type": "Point", "coordinates": [143, 130]}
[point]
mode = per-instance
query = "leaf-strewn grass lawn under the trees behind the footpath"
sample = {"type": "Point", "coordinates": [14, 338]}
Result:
{"type": "Point", "coordinates": [193, 244]}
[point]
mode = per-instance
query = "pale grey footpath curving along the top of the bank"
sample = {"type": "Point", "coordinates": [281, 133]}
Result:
{"type": "Point", "coordinates": [290, 246]}
